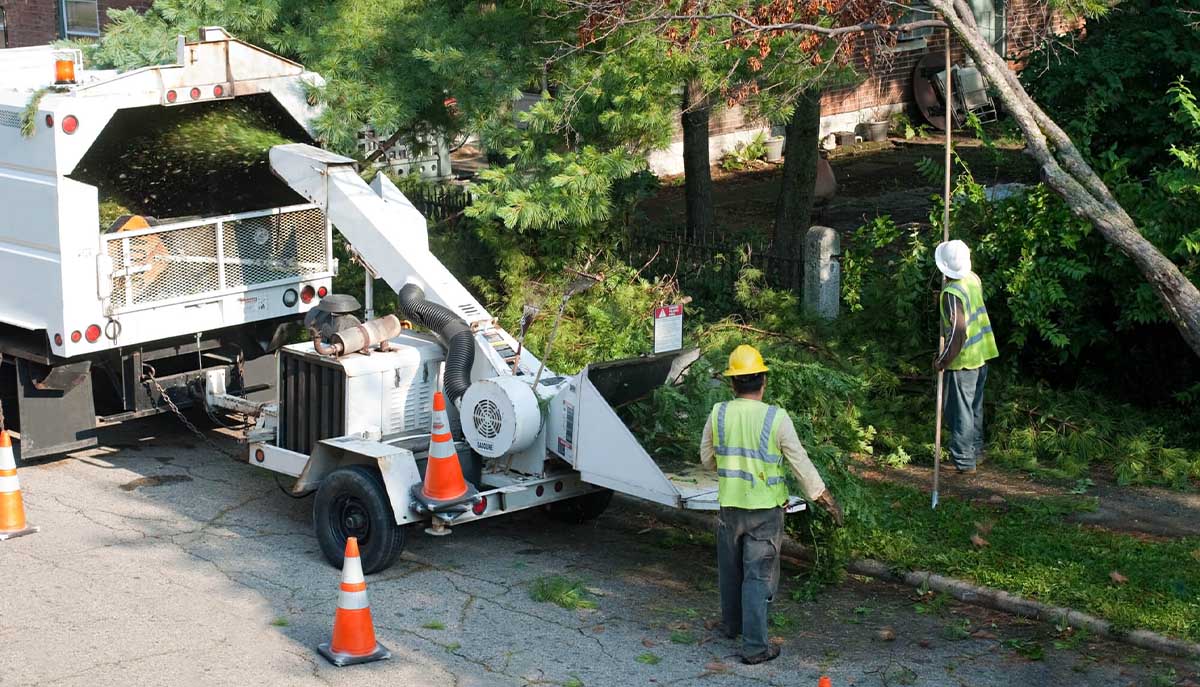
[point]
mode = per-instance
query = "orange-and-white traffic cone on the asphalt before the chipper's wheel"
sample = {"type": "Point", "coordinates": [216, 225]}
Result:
{"type": "Point", "coordinates": [353, 631]}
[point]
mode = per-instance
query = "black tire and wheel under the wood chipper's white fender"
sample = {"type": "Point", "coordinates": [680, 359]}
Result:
{"type": "Point", "coordinates": [353, 503]}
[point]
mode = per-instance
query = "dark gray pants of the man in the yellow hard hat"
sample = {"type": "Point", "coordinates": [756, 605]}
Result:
{"type": "Point", "coordinates": [748, 564]}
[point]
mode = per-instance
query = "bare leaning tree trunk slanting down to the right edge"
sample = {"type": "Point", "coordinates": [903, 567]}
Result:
{"type": "Point", "coordinates": [1071, 177]}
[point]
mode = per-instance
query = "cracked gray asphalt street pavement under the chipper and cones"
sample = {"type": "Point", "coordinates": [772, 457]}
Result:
{"type": "Point", "coordinates": [163, 561]}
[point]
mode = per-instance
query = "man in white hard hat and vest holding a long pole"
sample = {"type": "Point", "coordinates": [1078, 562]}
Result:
{"type": "Point", "coordinates": [969, 345]}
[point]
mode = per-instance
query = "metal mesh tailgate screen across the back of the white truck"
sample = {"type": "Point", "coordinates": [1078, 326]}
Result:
{"type": "Point", "coordinates": [248, 250]}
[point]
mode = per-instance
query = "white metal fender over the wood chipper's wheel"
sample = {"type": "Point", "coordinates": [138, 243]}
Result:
{"type": "Point", "coordinates": [397, 464]}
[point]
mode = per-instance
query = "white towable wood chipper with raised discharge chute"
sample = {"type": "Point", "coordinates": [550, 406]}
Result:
{"type": "Point", "coordinates": [355, 425]}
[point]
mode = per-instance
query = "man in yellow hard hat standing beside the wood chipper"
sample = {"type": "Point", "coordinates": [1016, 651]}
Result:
{"type": "Point", "coordinates": [748, 443]}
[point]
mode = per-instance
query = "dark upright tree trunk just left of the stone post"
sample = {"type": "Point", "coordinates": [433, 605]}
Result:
{"type": "Point", "coordinates": [797, 190]}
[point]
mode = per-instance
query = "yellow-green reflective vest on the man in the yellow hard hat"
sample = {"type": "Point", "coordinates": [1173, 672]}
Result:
{"type": "Point", "coordinates": [751, 469]}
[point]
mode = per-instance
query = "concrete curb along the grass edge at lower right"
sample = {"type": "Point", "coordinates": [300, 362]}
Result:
{"type": "Point", "coordinates": [963, 592]}
